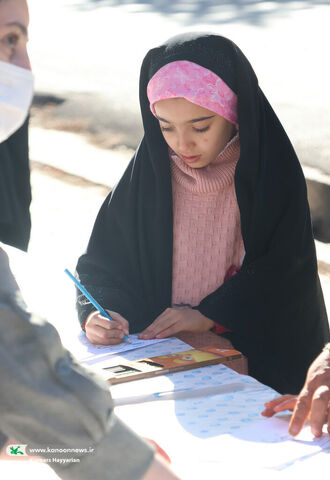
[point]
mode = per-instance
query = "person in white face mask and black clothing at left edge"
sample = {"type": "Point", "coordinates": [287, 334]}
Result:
{"type": "Point", "coordinates": [16, 92]}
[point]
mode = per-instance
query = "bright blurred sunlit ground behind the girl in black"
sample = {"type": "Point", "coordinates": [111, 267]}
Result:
{"type": "Point", "coordinates": [85, 120]}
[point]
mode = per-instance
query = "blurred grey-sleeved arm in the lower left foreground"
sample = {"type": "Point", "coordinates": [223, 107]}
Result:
{"type": "Point", "coordinates": [48, 400]}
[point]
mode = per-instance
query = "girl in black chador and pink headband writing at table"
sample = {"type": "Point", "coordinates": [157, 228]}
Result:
{"type": "Point", "coordinates": [209, 225]}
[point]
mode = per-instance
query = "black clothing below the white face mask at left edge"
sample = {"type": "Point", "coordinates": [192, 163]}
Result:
{"type": "Point", "coordinates": [15, 190]}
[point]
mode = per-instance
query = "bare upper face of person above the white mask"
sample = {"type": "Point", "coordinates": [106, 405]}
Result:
{"type": "Point", "coordinates": [14, 21]}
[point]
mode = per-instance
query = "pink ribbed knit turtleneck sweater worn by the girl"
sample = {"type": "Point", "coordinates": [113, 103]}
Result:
{"type": "Point", "coordinates": [207, 238]}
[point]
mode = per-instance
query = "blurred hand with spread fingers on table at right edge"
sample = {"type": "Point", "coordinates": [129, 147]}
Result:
{"type": "Point", "coordinates": [313, 401]}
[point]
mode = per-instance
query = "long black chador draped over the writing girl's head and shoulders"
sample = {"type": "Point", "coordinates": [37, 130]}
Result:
{"type": "Point", "coordinates": [273, 306]}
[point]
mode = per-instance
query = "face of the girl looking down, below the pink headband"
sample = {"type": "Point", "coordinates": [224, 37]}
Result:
{"type": "Point", "coordinates": [194, 133]}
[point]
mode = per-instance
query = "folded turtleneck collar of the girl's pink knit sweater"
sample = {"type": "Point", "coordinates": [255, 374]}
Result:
{"type": "Point", "coordinates": [211, 179]}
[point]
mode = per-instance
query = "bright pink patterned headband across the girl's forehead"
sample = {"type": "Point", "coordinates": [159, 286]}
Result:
{"type": "Point", "coordinates": [196, 84]}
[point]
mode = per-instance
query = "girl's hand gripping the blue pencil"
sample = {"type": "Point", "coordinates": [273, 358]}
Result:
{"type": "Point", "coordinates": [101, 331]}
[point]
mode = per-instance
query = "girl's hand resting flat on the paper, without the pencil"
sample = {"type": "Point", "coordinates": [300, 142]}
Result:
{"type": "Point", "coordinates": [175, 320]}
